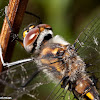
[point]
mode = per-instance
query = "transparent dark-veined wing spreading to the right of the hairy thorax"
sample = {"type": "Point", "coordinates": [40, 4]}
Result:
{"type": "Point", "coordinates": [88, 46]}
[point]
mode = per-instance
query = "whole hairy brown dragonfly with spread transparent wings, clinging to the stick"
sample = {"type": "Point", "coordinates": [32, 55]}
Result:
{"type": "Point", "coordinates": [55, 60]}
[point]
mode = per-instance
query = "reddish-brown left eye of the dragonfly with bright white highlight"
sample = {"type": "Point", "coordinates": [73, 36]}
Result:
{"type": "Point", "coordinates": [30, 39]}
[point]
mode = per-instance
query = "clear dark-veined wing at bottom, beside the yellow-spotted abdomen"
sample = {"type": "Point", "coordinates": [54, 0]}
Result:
{"type": "Point", "coordinates": [59, 93]}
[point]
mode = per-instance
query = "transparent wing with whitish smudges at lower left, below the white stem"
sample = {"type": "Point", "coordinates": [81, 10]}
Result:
{"type": "Point", "coordinates": [13, 78]}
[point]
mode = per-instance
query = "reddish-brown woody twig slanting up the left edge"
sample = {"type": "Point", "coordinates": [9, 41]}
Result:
{"type": "Point", "coordinates": [15, 12]}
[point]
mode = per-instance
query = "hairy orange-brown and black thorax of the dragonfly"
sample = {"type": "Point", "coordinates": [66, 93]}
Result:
{"type": "Point", "coordinates": [62, 60]}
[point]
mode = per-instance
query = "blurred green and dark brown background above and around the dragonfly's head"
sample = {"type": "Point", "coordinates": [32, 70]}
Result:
{"type": "Point", "coordinates": [67, 18]}
